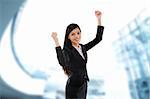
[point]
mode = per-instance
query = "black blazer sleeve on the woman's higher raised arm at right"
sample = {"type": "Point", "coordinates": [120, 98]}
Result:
{"type": "Point", "coordinates": [97, 39]}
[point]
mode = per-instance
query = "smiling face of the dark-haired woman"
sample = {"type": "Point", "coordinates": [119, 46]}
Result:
{"type": "Point", "coordinates": [75, 36]}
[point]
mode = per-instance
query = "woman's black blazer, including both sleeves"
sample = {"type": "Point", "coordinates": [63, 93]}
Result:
{"type": "Point", "coordinates": [70, 58]}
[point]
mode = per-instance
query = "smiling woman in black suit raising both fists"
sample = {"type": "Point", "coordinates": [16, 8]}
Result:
{"type": "Point", "coordinates": [73, 58]}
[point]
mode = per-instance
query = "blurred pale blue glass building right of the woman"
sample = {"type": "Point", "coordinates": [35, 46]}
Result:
{"type": "Point", "coordinates": [133, 52]}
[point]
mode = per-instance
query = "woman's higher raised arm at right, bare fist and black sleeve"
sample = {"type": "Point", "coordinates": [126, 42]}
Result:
{"type": "Point", "coordinates": [99, 34]}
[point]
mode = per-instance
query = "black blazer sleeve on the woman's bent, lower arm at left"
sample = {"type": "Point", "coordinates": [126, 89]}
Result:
{"type": "Point", "coordinates": [62, 57]}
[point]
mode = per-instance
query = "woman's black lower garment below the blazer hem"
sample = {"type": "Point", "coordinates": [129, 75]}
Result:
{"type": "Point", "coordinates": [76, 92]}
